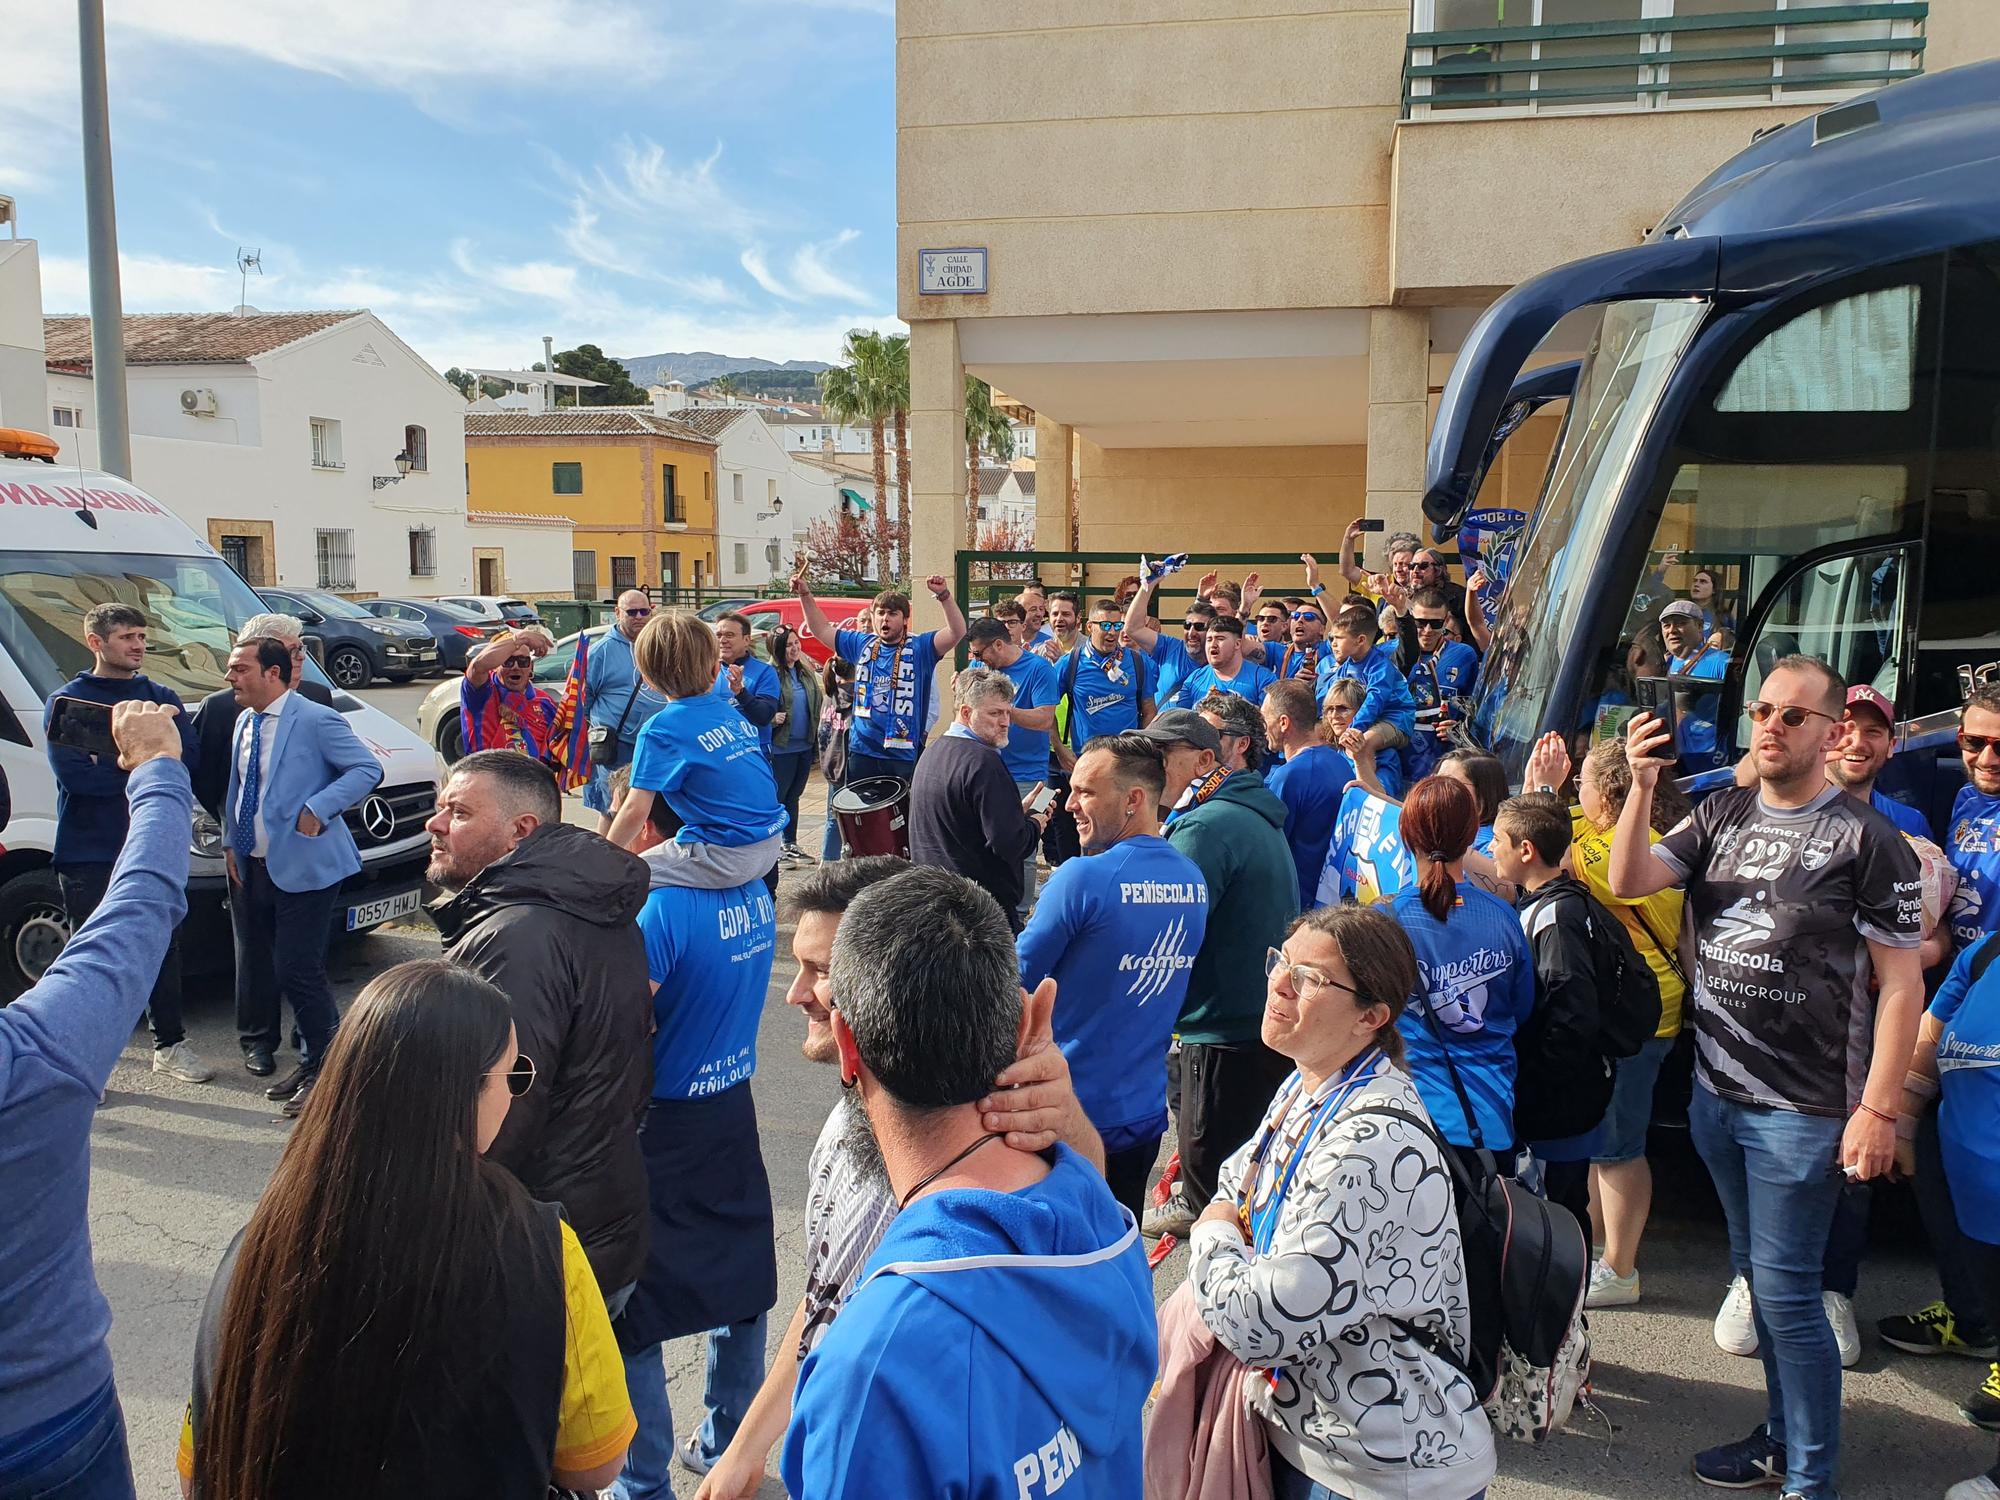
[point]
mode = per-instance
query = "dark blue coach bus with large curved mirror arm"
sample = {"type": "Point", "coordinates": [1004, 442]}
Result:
{"type": "Point", "coordinates": [1793, 387]}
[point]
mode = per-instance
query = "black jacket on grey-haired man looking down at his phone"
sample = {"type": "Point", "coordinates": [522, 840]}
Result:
{"type": "Point", "coordinates": [965, 815]}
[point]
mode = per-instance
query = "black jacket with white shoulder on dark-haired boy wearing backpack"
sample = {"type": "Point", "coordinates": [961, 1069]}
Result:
{"type": "Point", "coordinates": [1563, 1079]}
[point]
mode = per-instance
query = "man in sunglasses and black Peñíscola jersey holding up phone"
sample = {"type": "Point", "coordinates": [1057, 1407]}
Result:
{"type": "Point", "coordinates": [1799, 897]}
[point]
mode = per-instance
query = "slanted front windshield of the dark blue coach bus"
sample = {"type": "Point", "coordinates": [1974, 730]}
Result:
{"type": "Point", "coordinates": [1619, 387]}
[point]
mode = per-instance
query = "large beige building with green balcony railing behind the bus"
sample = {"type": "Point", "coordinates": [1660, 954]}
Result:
{"type": "Point", "coordinates": [1227, 251]}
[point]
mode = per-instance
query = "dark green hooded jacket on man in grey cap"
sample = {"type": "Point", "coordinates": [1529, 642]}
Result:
{"type": "Point", "coordinates": [1253, 895]}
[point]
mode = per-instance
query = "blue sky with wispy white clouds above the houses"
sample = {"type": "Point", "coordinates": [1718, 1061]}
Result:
{"type": "Point", "coordinates": [643, 177]}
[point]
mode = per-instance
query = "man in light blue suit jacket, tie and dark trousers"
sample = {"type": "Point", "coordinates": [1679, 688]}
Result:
{"type": "Point", "coordinates": [295, 769]}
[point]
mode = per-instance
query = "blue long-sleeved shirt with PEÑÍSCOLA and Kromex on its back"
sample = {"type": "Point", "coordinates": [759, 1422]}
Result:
{"type": "Point", "coordinates": [1119, 931]}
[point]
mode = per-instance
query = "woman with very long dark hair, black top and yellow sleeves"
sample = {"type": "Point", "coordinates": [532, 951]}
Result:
{"type": "Point", "coordinates": [399, 1317]}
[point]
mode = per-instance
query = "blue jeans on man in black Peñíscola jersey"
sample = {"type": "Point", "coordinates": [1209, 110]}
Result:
{"type": "Point", "coordinates": [1779, 1181]}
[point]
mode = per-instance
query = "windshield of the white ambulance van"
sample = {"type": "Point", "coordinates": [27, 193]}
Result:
{"type": "Point", "coordinates": [193, 609]}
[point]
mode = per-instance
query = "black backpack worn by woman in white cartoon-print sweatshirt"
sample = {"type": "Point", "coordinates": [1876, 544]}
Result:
{"type": "Point", "coordinates": [1527, 1273]}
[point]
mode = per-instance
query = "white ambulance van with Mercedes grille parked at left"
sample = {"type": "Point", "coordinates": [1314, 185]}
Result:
{"type": "Point", "coordinates": [73, 539]}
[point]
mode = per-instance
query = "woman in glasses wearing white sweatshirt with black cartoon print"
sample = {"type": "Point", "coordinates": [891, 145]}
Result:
{"type": "Point", "coordinates": [1287, 1267]}
